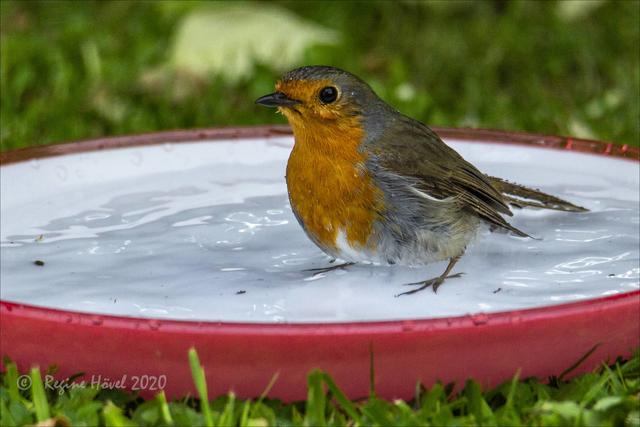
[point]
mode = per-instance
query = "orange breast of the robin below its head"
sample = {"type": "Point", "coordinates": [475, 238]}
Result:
{"type": "Point", "coordinates": [330, 189]}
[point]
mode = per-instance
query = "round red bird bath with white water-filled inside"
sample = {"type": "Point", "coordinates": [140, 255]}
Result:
{"type": "Point", "coordinates": [119, 254]}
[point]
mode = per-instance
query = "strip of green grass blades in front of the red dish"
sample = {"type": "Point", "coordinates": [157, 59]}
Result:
{"type": "Point", "coordinates": [609, 396]}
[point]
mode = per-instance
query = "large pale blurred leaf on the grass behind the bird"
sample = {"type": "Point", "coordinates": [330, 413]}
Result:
{"type": "Point", "coordinates": [229, 40]}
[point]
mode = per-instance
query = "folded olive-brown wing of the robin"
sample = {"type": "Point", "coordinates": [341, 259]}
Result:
{"type": "Point", "coordinates": [410, 148]}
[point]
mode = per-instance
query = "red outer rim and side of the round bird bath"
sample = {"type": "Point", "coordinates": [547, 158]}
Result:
{"type": "Point", "coordinates": [151, 354]}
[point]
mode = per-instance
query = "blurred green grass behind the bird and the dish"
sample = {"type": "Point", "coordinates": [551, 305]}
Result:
{"type": "Point", "coordinates": [73, 70]}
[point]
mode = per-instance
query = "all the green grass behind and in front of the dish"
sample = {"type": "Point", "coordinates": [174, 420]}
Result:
{"type": "Point", "coordinates": [76, 70]}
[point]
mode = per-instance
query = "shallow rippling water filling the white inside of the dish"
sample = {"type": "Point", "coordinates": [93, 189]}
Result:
{"type": "Point", "coordinates": [205, 231]}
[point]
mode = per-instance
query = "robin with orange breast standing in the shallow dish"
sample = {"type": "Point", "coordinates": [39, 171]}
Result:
{"type": "Point", "coordinates": [370, 184]}
